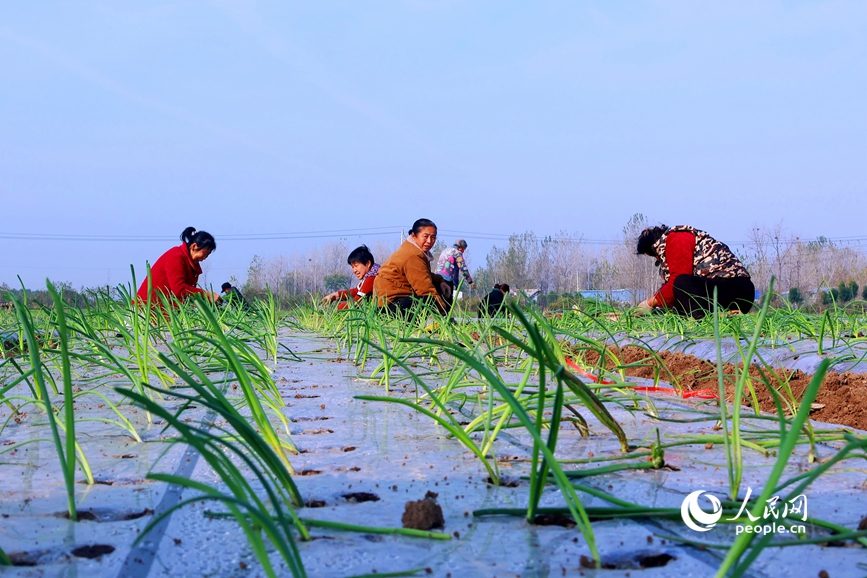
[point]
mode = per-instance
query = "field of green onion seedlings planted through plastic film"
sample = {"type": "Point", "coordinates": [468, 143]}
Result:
{"type": "Point", "coordinates": [195, 440]}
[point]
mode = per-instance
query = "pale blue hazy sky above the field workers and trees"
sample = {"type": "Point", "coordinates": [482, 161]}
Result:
{"type": "Point", "coordinates": [306, 122]}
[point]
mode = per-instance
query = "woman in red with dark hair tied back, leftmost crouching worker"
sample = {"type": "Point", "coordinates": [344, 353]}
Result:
{"type": "Point", "coordinates": [176, 273]}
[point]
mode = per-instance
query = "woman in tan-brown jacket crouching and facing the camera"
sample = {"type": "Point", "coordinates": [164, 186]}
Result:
{"type": "Point", "coordinates": [405, 278]}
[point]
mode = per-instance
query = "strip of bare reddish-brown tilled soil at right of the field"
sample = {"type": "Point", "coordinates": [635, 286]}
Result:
{"type": "Point", "coordinates": [842, 399]}
